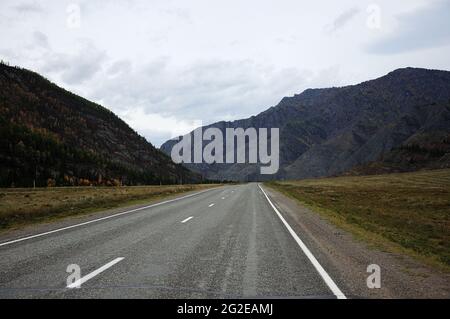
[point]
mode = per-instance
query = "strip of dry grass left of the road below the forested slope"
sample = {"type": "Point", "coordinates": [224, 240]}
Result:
{"type": "Point", "coordinates": [21, 206]}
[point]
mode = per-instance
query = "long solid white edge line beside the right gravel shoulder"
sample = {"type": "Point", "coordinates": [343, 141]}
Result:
{"type": "Point", "coordinates": [330, 283]}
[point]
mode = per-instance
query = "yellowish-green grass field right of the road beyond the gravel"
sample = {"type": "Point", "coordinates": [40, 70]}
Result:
{"type": "Point", "coordinates": [408, 212]}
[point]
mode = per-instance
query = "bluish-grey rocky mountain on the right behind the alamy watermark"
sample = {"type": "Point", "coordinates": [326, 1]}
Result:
{"type": "Point", "coordinates": [400, 121]}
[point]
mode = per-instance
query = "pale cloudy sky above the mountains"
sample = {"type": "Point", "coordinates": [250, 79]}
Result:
{"type": "Point", "coordinates": [166, 66]}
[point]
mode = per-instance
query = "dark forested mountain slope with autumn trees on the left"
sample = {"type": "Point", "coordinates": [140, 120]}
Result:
{"type": "Point", "coordinates": [49, 136]}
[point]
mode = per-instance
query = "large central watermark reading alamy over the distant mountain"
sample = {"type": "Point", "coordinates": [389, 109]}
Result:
{"type": "Point", "coordinates": [241, 146]}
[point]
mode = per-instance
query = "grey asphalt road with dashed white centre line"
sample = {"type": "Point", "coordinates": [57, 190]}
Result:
{"type": "Point", "coordinates": [227, 242]}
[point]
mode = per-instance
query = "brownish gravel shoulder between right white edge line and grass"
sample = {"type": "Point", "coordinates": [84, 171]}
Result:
{"type": "Point", "coordinates": [346, 259]}
